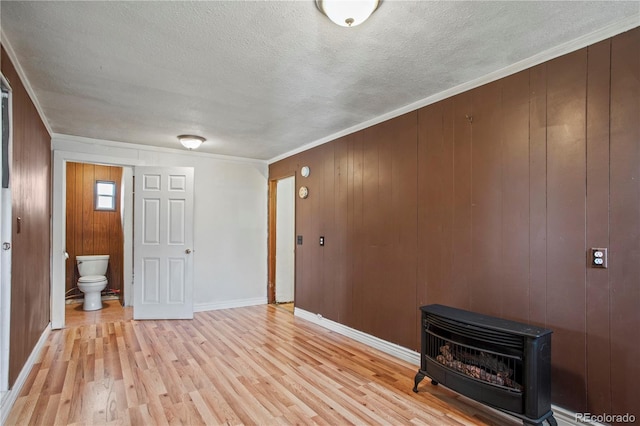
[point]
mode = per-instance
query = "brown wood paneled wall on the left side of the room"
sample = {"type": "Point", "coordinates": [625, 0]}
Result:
{"type": "Point", "coordinates": [30, 183]}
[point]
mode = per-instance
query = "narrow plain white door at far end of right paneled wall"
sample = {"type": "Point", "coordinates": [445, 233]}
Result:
{"type": "Point", "coordinates": [285, 240]}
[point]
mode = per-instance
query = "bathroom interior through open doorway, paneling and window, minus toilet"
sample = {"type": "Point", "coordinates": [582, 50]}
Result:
{"type": "Point", "coordinates": [95, 225]}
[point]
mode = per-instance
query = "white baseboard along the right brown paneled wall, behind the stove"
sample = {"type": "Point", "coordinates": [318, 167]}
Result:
{"type": "Point", "coordinates": [563, 416]}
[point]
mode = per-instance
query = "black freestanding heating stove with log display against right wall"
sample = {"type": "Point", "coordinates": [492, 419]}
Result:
{"type": "Point", "coordinates": [501, 363]}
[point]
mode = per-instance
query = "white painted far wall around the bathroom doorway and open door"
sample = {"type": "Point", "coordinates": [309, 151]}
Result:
{"type": "Point", "coordinates": [230, 216]}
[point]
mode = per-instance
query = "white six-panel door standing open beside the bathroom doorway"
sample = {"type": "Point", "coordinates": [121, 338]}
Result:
{"type": "Point", "coordinates": [163, 243]}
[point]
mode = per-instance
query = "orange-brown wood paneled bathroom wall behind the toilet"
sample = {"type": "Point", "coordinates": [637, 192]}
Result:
{"type": "Point", "coordinates": [91, 232]}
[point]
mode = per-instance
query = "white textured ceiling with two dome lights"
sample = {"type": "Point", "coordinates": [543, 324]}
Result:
{"type": "Point", "coordinates": [261, 78]}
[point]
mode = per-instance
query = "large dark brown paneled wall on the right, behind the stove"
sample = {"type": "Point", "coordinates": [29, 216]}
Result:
{"type": "Point", "coordinates": [489, 201]}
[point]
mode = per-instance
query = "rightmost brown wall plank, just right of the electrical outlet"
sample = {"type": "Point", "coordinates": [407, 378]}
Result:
{"type": "Point", "coordinates": [624, 222]}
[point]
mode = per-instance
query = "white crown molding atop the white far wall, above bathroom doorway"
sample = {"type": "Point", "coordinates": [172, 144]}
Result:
{"type": "Point", "coordinates": [60, 137]}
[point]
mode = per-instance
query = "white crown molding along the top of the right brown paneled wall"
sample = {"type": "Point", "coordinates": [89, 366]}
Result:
{"type": "Point", "coordinates": [562, 49]}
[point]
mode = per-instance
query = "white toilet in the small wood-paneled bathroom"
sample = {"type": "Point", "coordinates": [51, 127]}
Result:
{"type": "Point", "coordinates": [92, 270]}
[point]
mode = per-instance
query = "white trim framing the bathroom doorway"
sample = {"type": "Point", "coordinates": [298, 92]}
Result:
{"type": "Point", "coordinates": [58, 224]}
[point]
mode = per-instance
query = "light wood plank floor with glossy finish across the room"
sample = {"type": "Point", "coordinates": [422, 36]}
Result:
{"type": "Point", "coordinates": [258, 365]}
